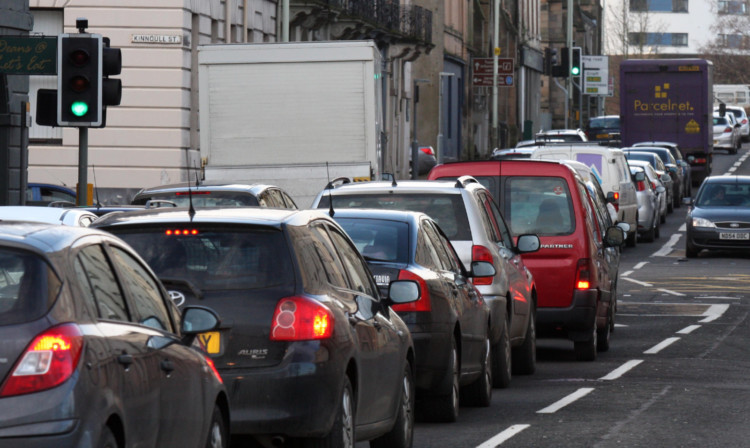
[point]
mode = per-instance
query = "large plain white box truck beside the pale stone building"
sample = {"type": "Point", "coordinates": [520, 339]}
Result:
{"type": "Point", "coordinates": [295, 115]}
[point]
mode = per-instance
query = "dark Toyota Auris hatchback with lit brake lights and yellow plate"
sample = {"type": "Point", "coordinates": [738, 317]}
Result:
{"type": "Point", "coordinates": [311, 350]}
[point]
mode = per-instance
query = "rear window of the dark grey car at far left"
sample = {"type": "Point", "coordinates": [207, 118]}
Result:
{"type": "Point", "coordinates": [28, 287]}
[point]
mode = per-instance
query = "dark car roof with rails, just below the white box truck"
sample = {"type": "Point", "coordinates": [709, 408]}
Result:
{"type": "Point", "coordinates": [210, 194]}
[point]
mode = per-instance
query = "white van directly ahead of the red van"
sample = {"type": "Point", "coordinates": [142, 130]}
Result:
{"type": "Point", "coordinates": [611, 169]}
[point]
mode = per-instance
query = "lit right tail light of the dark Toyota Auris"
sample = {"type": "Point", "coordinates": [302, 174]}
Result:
{"type": "Point", "coordinates": [300, 318]}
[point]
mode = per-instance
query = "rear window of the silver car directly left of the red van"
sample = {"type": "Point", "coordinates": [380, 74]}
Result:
{"type": "Point", "coordinates": [447, 209]}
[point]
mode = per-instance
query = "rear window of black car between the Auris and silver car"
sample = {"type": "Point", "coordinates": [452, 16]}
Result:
{"type": "Point", "coordinates": [377, 239]}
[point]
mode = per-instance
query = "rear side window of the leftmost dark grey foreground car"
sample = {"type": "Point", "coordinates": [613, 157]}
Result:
{"type": "Point", "coordinates": [99, 284]}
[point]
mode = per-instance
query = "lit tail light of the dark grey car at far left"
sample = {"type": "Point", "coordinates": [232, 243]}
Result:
{"type": "Point", "coordinates": [48, 361]}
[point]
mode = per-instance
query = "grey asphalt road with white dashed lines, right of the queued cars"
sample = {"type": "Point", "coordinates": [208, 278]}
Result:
{"type": "Point", "coordinates": [676, 374]}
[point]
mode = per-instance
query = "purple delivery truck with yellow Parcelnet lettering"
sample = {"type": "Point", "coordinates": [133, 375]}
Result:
{"type": "Point", "coordinates": [670, 100]}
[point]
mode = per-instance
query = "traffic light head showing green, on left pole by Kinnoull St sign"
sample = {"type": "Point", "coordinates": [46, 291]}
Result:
{"type": "Point", "coordinates": [79, 74]}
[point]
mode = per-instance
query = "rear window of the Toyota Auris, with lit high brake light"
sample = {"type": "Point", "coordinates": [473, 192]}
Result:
{"type": "Point", "coordinates": [214, 258]}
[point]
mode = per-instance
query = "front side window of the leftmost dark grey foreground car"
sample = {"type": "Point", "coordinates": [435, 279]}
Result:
{"type": "Point", "coordinates": [144, 291]}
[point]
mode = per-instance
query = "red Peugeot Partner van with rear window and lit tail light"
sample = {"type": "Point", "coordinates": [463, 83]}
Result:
{"type": "Point", "coordinates": [575, 275]}
